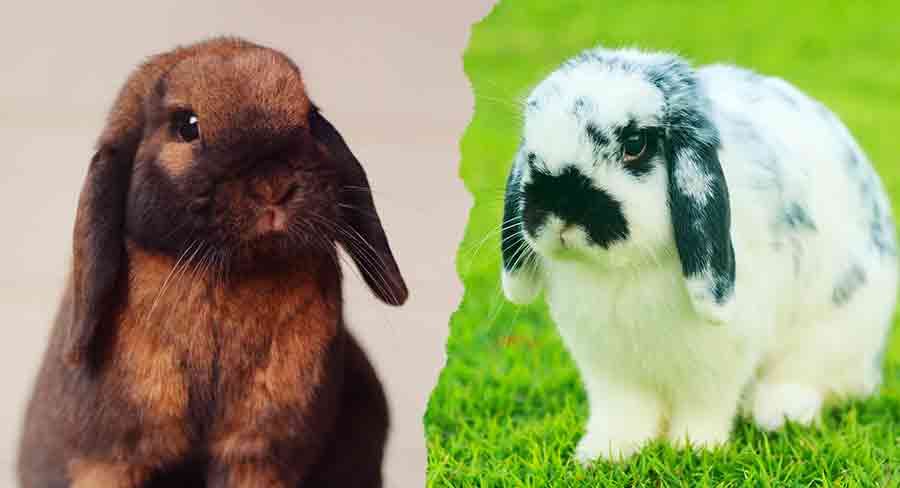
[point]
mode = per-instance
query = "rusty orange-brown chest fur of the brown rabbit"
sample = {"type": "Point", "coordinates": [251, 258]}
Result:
{"type": "Point", "coordinates": [189, 349]}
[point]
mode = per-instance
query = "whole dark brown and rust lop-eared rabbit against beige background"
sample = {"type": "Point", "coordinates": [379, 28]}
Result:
{"type": "Point", "coordinates": [201, 339]}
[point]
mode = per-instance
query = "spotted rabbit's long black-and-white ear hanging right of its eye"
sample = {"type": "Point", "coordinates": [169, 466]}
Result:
{"type": "Point", "coordinates": [698, 194]}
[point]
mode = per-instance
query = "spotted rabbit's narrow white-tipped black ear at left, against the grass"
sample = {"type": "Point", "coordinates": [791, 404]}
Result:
{"type": "Point", "coordinates": [521, 276]}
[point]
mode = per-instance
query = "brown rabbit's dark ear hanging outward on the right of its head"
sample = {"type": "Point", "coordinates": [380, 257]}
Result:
{"type": "Point", "coordinates": [363, 238]}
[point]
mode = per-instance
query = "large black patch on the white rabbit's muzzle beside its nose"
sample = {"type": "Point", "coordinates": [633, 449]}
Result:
{"type": "Point", "coordinates": [571, 197]}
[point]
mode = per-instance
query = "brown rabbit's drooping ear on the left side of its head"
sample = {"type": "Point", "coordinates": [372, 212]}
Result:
{"type": "Point", "coordinates": [99, 248]}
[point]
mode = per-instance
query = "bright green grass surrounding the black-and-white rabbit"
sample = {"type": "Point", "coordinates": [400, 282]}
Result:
{"type": "Point", "coordinates": [509, 407]}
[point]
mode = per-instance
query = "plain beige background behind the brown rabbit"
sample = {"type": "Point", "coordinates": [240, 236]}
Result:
{"type": "Point", "coordinates": [388, 75]}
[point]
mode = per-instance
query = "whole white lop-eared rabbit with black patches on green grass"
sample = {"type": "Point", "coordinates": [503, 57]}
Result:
{"type": "Point", "coordinates": [707, 239]}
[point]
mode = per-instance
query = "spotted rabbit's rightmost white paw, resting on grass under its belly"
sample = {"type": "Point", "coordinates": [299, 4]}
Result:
{"type": "Point", "coordinates": [775, 402]}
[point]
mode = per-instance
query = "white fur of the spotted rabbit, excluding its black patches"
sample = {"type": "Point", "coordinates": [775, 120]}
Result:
{"type": "Point", "coordinates": [652, 364]}
